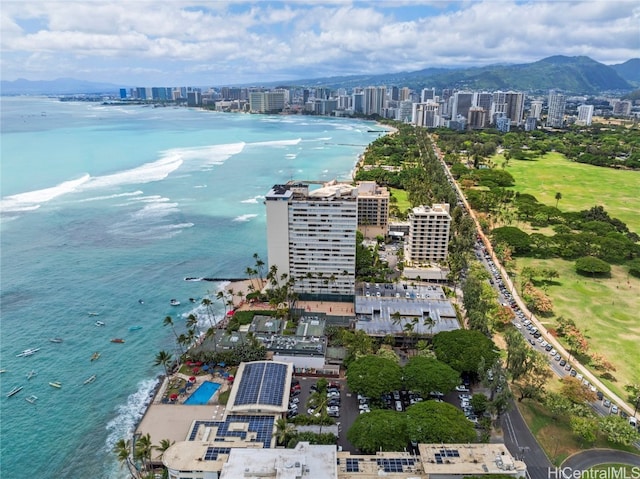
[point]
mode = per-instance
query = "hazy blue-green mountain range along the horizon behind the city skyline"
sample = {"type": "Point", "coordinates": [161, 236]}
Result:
{"type": "Point", "coordinates": [577, 75]}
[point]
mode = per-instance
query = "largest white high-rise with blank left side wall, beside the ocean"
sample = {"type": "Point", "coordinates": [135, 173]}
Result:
{"type": "Point", "coordinates": [311, 237]}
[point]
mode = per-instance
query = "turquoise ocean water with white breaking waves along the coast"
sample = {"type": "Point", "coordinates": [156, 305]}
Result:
{"type": "Point", "coordinates": [102, 206]}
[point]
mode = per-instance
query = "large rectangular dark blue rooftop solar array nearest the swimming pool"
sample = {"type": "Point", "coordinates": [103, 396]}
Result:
{"type": "Point", "coordinates": [262, 383]}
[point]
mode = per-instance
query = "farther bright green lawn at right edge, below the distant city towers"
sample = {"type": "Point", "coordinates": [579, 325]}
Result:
{"type": "Point", "coordinates": [582, 186]}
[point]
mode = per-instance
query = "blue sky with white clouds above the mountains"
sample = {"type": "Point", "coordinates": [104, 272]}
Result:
{"type": "Point", "coordinates": [183, 42]}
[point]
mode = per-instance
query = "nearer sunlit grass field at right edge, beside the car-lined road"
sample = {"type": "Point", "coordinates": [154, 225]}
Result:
{"type": "Point", "coordinates": [604, 309]}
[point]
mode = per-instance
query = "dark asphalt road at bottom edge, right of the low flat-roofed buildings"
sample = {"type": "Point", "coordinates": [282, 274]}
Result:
{"type": "Point", "coordinates": [523, 445]}
